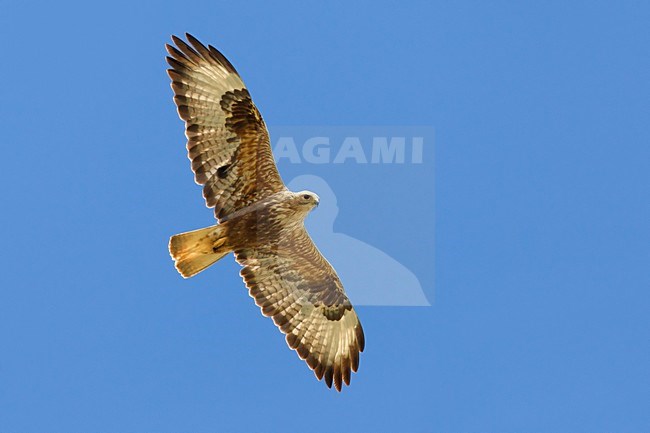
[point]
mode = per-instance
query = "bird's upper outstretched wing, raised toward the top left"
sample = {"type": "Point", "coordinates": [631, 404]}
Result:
{"type": "Point", "coordinates": [227, 140]}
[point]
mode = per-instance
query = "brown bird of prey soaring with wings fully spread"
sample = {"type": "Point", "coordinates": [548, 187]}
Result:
{"type": "Point", "coordinates": [259, 219]}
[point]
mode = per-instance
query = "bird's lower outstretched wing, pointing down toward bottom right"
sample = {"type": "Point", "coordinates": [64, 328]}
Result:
{"type": "Point", "coordinates": [293, 283]}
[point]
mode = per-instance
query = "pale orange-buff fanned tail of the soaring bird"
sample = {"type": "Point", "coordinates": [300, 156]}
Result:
{"type": "Point", "coordinates": [196, 250]}
